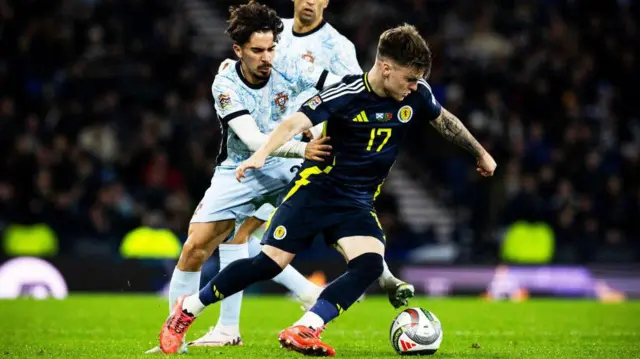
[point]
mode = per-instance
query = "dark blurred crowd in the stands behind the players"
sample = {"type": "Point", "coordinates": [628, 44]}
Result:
{"type": "Point", "coordinates": [107, 122]}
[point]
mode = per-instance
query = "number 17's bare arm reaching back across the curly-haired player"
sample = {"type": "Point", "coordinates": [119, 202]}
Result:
{"type": "Point", "coordinates": [285, 131]}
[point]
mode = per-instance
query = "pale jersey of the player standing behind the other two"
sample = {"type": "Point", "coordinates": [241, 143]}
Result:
{"type": "Point", "coordinates": [323, 46]}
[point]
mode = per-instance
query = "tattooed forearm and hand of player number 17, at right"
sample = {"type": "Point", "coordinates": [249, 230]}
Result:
{"type": "Point", "coordinates": [451, 128]}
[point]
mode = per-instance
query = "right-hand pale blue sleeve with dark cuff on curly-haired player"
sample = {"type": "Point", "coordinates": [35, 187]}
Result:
{"type": "Point", "coordinates": [302, 74]}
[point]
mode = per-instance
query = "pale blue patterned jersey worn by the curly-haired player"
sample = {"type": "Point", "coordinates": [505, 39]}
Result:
{"type": "Point", "coordinates": [267, 103]}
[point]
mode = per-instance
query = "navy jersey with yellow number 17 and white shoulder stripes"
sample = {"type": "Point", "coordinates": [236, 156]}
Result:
{"type": "Point", "coordinates": [365, 131]}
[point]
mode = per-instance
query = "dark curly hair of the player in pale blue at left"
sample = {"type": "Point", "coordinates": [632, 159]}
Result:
{"type": "Point", "coordinates": [252, 17]}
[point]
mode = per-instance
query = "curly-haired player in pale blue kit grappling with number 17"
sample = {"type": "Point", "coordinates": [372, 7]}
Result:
{"type": "Point", "coordinates": [250, 98]}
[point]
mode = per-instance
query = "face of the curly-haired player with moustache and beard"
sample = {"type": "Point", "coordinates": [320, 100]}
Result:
{"type": "Point", "coordinates": [257, 55]}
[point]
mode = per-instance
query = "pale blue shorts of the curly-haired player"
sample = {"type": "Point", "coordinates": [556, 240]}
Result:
{"type": "Point", "coordinates": [227, 198]}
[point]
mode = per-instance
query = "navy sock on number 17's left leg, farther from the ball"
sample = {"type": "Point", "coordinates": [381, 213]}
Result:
{"type": "Point", "coordinates": [237, 276]}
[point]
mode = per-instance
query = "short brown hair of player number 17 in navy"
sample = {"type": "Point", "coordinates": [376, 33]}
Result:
{"type": "Point", "coordinates": [404, 45]}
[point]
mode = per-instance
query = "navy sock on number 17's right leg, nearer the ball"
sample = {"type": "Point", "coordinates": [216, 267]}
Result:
{"type": "Point", "coordinates": [344, 291]}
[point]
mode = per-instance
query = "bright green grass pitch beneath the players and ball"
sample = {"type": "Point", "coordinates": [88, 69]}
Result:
{"type": "Point", "coordinates": [124, 326]}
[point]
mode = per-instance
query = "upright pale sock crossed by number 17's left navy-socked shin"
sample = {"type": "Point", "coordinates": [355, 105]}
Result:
{"type": "Point", "coordinates": [230, 306]}
